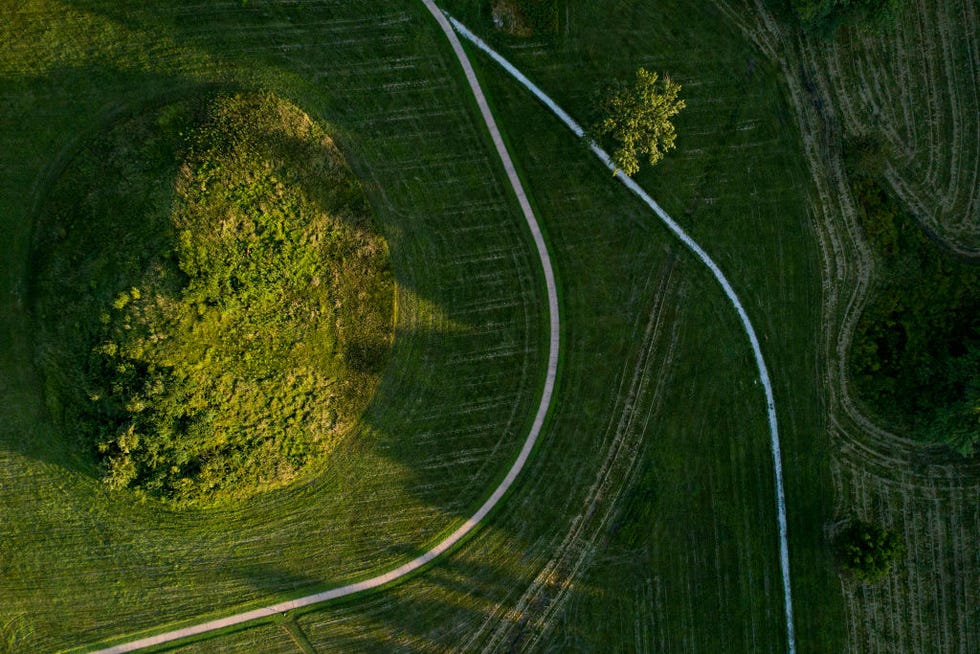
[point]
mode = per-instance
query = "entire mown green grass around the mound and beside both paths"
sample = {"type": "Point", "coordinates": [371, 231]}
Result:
{"type": "Point", "coordinates": [645, 521]}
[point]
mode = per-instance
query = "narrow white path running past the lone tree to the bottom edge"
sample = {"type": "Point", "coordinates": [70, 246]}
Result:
{"type": "Point", "coordinates": [719, 276]}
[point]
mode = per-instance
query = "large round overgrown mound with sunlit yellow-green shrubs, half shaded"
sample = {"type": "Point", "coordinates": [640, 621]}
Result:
{"type": "Point", "coordinates": [213, 304]}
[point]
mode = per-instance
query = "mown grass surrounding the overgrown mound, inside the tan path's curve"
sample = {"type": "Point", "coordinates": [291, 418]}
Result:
{"type": "Point", "coordinates": [79, 563]}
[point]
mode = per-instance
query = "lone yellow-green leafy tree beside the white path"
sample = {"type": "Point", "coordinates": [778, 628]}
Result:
{"type": "Point", "coordinates": [636, 117]}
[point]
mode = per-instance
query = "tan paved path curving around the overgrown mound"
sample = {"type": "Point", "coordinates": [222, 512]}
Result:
{"type": "Point", "coordinates": [518, 465]}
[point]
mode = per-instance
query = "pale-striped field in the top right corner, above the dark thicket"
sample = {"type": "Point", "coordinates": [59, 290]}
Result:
{"type": "Point", "coordinates": [917, 86]}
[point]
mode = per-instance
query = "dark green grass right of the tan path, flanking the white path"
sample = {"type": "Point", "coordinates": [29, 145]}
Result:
{"type": "Point", "coordinates": [649, 505]}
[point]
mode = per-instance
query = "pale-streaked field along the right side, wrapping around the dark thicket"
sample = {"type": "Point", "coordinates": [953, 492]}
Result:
{"type": "Point", "coordinates": [928, 494]}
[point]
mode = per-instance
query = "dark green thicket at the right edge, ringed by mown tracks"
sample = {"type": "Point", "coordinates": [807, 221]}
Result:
{"type": "Point", "coordinates": [916, 352]}
